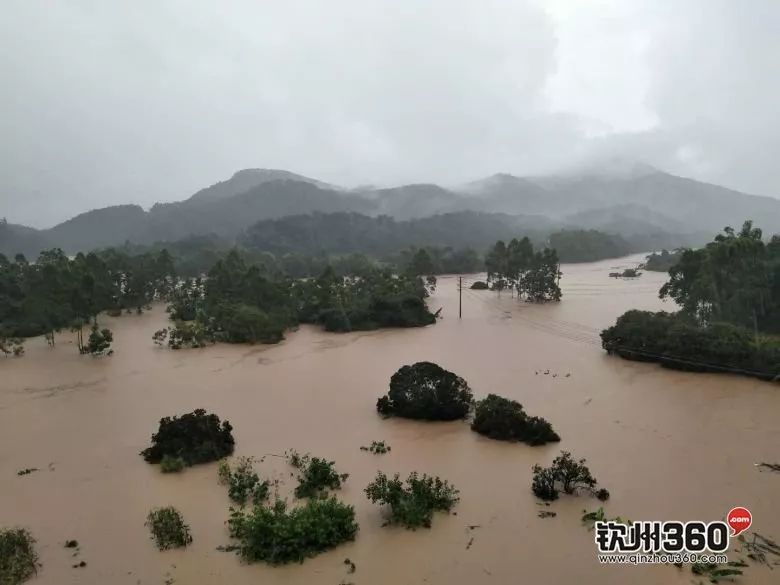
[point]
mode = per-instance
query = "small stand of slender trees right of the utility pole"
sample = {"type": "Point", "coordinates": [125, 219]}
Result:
{"type": "Point", "coordinates": [517, 266]}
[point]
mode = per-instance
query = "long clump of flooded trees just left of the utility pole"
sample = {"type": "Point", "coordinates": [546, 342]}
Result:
{"type": "Point", "coordinates": [241, 302]}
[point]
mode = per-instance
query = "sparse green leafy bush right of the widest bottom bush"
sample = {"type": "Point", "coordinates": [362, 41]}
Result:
{"type": "Point", "coordinates": [414, 503]}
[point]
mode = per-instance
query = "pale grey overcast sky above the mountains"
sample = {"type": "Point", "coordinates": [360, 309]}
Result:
{"type": "Point", "coordinates": [143, 101]}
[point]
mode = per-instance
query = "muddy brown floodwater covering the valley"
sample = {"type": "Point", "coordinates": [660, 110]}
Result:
{"type": "Point", "coordinates": [668, 445]}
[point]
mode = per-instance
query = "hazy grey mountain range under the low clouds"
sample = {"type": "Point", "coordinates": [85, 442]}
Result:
{"type": "Point", "coordinates": [641, 202]}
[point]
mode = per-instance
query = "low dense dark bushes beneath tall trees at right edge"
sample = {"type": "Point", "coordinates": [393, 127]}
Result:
{"type": "Point", "coordinates": [676, 341]}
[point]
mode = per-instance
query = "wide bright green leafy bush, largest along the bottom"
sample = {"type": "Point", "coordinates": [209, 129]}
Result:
{"type": "Point", "coordinates": [274, 535]}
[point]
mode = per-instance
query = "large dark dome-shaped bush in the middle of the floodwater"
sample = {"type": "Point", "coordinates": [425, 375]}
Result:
{"type": "Point", "coordinates": [426, 391]}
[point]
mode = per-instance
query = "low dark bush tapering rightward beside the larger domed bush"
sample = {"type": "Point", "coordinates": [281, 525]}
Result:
{"type": "Point", "coordinates": [500, 418]}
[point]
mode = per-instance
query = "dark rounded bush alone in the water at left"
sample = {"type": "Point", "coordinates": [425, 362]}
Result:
{"type": "Point", "coordinates": [195, 437]}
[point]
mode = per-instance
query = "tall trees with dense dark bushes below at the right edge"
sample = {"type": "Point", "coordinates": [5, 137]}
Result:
{"type": "Point", "coordinates": [729, 294]}
